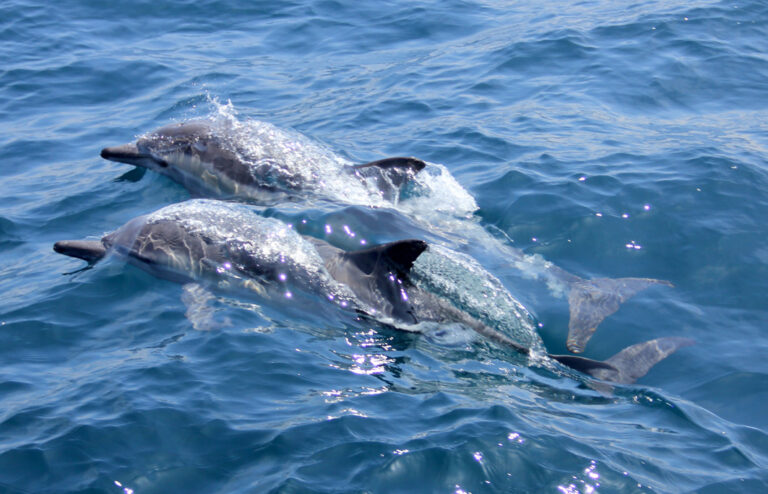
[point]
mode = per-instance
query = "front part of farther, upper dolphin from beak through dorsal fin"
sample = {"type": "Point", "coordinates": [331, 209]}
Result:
{"type": "Point", "coordinates": [212, 162]}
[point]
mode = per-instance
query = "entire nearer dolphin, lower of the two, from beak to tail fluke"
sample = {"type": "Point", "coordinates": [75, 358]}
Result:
{"type": "Point", "coordinates": [227, 245]}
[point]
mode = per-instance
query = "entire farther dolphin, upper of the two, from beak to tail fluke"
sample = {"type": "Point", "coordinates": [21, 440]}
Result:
{"type": "Point", "coordinates": [264, 164]}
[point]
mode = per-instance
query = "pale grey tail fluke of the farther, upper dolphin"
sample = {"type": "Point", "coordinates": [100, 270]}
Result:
{"type": "Point", "coordinates": [591, 301]}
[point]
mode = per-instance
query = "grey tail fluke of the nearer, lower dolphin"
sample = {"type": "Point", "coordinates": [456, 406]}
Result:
{"type": "Point", "coordinates": [628, 365]}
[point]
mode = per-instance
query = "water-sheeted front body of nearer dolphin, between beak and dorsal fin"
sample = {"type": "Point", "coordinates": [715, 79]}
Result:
{"type": "Point", "coordinates": [203, 239]}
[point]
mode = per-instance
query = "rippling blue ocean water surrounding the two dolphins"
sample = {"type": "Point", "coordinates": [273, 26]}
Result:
{"type": "Point", "coordinates": [610, 138]}
